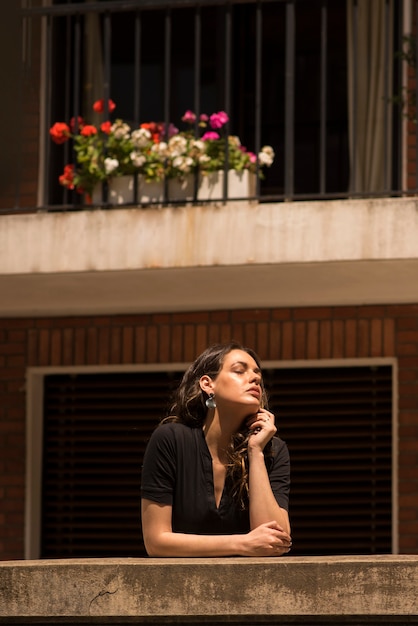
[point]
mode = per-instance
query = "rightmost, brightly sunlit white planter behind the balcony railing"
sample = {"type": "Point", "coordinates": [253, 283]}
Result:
{"type": "Point", "coordinates": [240, 185]}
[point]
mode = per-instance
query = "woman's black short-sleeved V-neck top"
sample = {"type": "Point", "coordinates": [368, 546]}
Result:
{"type": "Point", "coordinates": [178, 471]}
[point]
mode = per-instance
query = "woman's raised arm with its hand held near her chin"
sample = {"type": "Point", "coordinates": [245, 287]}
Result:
{"type": "Point", "coordinates": [263, 504]}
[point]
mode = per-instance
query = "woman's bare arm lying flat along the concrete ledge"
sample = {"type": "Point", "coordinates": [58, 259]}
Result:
{"type": "Point", "coordinates": [266, 540]}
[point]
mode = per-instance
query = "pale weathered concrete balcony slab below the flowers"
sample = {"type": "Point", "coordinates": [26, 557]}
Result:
{"type": "Point", "coordinates": [208, 257]}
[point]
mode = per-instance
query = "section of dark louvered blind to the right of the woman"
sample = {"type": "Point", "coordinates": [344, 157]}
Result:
{"type": "Point", "coordinates": [337, 423]}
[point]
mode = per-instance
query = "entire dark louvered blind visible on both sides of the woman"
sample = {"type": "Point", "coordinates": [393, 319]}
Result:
{"type": "Point", "coordinates": [336, 421]}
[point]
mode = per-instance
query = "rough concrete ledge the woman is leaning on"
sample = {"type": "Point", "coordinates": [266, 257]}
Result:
{"type": "Point", "coordinates": [314, 590]}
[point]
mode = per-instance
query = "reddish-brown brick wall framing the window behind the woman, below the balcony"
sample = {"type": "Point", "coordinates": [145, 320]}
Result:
{"type": "Point", "coordinates": [305, 333]}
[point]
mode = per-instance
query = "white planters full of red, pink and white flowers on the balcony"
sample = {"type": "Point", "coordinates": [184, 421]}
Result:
{"type": "Point", "coordinates": [116, 153]}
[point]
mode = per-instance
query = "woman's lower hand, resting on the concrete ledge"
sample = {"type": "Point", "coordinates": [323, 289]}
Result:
{"type": "Point", "coordinates": [269, 539]}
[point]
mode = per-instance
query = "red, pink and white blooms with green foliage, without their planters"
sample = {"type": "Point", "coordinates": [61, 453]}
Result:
{"type": "Point", "coordinates": [115, 149]}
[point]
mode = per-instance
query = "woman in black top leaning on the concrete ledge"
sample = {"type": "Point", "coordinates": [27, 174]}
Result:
{"type": "Point", "coordinates": [215, 480]}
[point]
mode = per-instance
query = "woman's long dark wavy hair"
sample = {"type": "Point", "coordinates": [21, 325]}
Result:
{"type": "Point", "coordinates": [189, 407]}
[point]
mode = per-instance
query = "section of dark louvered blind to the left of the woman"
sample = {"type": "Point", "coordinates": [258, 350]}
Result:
{"type": "Point", "coordinates": [96, 427]}
